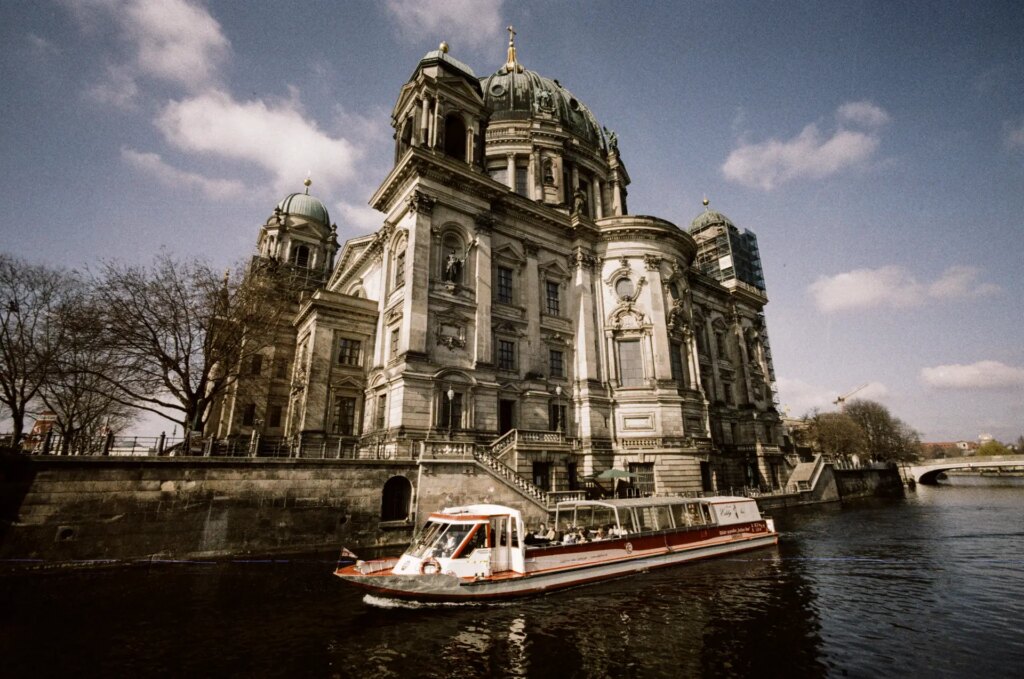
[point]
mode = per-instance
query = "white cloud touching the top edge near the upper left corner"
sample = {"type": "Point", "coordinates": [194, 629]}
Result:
{"type": "Point", "coordinates": [178, 41]}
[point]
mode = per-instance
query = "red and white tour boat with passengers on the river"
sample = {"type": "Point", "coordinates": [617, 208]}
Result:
{"type": "Point", "coordinates": [485, 553]}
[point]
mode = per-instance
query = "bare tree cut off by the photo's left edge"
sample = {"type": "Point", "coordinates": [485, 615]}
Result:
{"type": "Point", "coordinates": [31, 333]}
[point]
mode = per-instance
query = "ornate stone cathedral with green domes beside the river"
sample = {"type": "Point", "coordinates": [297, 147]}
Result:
{"type": "Point", "coordinates": [513, 307]}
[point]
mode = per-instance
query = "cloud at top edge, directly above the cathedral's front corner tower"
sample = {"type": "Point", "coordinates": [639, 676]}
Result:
{"type": "Point", "coordinates": [470, 23]}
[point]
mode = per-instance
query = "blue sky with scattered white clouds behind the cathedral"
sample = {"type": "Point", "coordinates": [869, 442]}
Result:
{"type": "Point", "coordinates": [877, 149]}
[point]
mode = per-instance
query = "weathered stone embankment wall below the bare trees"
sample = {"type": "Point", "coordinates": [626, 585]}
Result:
{"type": "Point", "coordinates": [57, 511]}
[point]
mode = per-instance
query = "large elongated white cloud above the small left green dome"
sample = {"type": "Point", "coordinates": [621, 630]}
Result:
{"type": "Point", "coordinates": [278, 138]}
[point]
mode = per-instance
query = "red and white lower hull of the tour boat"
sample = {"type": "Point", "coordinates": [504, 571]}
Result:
{"type": "Point", "coordinates": [614, 560]}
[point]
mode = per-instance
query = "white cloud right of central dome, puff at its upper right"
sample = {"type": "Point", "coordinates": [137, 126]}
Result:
{"type": "Point", "coordinates": [810, 155]}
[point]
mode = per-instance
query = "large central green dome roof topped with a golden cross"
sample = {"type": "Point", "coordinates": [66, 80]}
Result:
{"type": "Point", "coordinates": [517, 94]}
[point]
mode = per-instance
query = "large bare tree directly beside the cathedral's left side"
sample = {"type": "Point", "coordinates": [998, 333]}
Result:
{"type": "Point", "coordinates": [183, 332]}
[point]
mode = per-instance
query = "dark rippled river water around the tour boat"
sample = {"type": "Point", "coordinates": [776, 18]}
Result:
{"type": "Point", "coordinates": [929, 586]}
